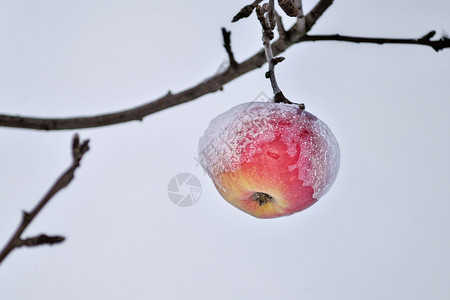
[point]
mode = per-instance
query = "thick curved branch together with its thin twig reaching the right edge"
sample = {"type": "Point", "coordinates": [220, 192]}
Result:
{"type": "Point", "coordinates": [212, 84]}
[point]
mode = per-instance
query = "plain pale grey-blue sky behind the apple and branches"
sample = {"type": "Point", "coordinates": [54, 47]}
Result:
{"type": "Point", "coordinates": [382, 232]}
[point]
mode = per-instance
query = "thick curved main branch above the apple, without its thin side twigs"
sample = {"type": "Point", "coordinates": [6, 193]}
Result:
{"type": "Point", "coordinates": [210, 85]}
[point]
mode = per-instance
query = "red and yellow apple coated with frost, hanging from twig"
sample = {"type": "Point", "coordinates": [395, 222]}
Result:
{"type": "Point", "coordinates": [269, 159]}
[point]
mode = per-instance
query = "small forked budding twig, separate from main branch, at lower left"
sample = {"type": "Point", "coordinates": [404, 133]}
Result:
{"type": "Point", "coordinates": [16, 241]}
